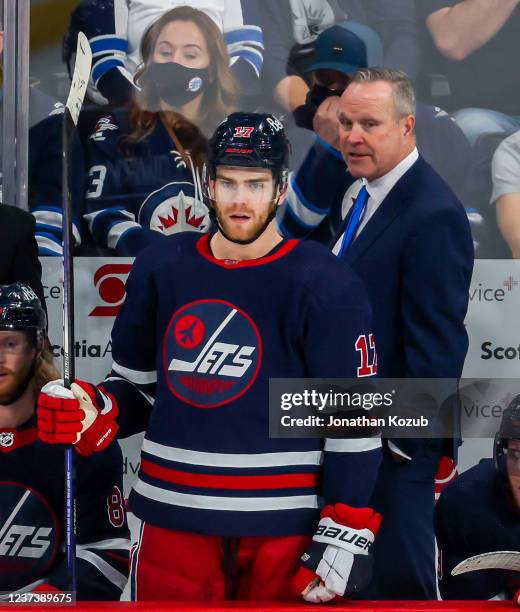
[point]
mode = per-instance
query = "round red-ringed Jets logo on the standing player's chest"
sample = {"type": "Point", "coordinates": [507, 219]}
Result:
{"type": "Point", "coordinates": [212, 353]}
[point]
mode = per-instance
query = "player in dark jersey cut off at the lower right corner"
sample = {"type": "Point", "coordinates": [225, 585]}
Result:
{"type": "Point", "coordinates": [480, 513]}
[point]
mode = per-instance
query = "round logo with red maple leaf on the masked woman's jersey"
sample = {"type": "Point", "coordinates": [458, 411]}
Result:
{"type": "Point", "coordinates": [172, 209]}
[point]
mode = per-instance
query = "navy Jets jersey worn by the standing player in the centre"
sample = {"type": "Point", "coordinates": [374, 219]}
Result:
{"type": "Point", "coordinates": [194, 347]}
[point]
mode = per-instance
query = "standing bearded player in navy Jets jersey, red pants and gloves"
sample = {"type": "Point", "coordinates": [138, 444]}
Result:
{"type": "Point", "coordinates": [208, 320]}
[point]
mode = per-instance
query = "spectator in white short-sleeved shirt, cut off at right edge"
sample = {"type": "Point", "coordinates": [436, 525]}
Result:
{"type": "Point", "coordinates": [505, 172]}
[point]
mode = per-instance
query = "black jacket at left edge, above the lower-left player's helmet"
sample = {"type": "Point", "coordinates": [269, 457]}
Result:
{"type": "Point", "coordinates": [18, 250]}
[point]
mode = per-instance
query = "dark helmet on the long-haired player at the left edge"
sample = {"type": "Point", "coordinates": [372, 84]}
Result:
{"type": "Point", "coordinates": [21, 310]}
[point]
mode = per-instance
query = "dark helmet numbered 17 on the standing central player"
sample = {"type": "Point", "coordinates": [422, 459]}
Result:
{"type": "Point", "coordinates": [252, 140]}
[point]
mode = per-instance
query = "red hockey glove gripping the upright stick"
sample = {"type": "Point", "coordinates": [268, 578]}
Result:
{"type": "Point", "coordinates": [82, 415]}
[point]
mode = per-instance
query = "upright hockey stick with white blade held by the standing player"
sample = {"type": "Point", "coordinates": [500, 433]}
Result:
{"type": "Point", "coordinates": [70, 120]}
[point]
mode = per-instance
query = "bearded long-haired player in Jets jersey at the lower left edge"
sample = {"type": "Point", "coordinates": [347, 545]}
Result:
{"type": "Point", "coordinates": [31, 481]}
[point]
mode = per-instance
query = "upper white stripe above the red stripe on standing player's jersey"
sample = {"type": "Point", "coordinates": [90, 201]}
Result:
{"type": "Point", "coordinates": [234, 460]}
